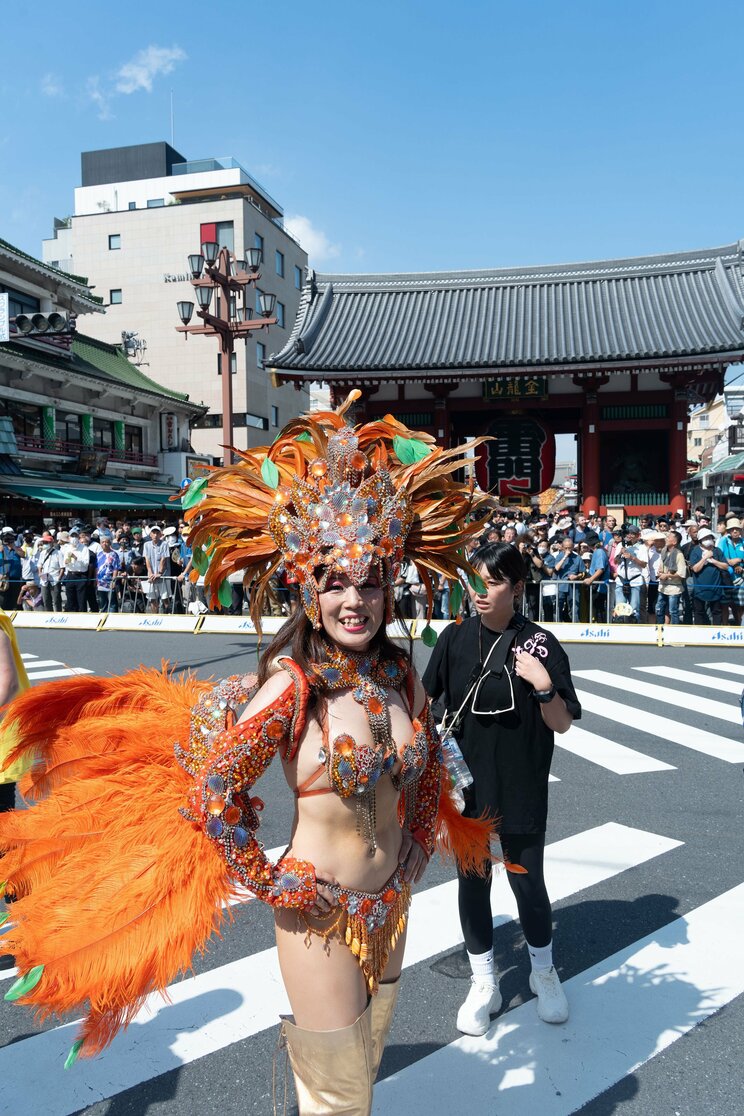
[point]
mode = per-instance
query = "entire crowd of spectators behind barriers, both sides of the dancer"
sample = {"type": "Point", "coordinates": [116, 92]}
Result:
{"type": "Point", "coordinates": [579, 569]}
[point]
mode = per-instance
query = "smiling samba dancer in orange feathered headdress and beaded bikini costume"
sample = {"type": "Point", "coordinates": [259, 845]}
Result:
{"type": "Point", "coordinates": [336, 699]}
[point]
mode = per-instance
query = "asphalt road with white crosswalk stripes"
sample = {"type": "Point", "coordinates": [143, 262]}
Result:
{"type": "Point", "coordinates": [648, 855]}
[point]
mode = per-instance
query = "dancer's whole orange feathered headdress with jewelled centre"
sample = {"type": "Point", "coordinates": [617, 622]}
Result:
{"type": "Point", "coordinates": [326, 497]}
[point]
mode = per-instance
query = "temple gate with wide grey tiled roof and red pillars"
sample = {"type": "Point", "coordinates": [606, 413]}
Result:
{"type": "Point", "coordinates": [615, 352]}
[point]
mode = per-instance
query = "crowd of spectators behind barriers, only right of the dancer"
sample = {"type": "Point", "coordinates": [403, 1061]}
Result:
{"type": "Point", "coordinates": [586, 569]}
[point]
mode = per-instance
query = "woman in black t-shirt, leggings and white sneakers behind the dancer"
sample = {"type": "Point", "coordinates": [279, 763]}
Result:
{"type": "Point", "coordinates": [515, 681]}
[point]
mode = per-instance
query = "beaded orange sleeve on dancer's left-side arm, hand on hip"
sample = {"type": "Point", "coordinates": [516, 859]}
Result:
{"type": "Point", "coordinates": [220, 802]}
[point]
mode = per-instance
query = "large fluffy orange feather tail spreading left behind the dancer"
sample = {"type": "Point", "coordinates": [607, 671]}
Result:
{"type": "Point", "coordinates": [117, 890]}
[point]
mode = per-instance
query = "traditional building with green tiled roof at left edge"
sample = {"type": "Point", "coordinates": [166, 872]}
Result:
{"type": "Point", "coordinates": [82, 429]}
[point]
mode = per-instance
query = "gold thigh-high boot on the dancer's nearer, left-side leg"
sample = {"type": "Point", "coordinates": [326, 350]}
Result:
{"type": "Point", "coordinates": [333, 1070]}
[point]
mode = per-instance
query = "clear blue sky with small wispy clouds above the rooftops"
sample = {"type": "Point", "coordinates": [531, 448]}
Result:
{"type": "Point", "coordinates": [408, 137]}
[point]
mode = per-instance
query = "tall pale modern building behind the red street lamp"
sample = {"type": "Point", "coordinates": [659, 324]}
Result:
{"type": "Point", "coordinates": [139, 214]}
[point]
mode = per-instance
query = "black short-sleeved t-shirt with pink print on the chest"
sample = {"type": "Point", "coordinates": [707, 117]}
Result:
{"type": "Point", "coordinates": [510, 753]}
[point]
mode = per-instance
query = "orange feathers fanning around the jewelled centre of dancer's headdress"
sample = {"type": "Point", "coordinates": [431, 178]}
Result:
{"type": "Point", "coordinates": [230, 525]}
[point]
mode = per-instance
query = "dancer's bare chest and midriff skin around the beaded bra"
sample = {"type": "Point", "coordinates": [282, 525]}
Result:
{"type": "Point", "coordinates": [325, 826]}
